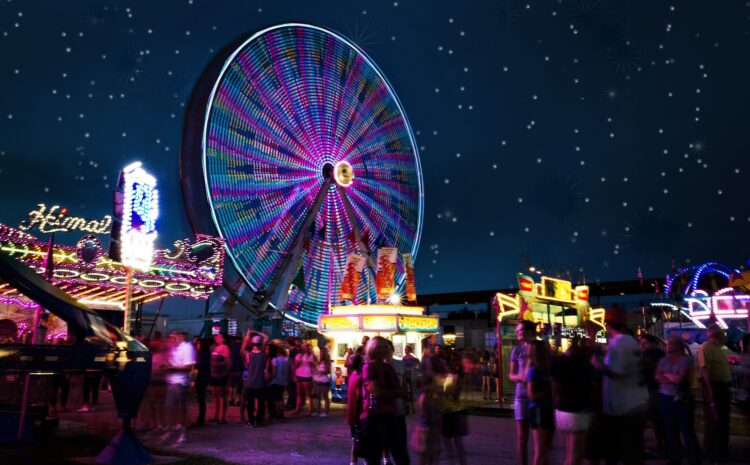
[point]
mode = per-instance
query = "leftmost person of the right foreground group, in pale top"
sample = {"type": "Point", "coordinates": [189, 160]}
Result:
{"type": "Point", "coordinates": [519, 357]}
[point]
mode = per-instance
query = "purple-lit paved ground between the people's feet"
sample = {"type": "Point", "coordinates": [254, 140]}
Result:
{"type": "Point", "coordinates": [313, 440]}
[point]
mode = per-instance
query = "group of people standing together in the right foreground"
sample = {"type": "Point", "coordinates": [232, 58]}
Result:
{"type": "Point", "coordinates": [601, 400]}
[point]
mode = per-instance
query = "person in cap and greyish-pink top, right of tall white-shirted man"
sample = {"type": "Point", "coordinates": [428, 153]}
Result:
{"type": "Point", "coordinates": [677, 404]}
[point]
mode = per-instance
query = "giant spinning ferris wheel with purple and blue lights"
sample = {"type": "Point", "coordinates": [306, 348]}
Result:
{"type": "Point", "coordinates": [298, 152]}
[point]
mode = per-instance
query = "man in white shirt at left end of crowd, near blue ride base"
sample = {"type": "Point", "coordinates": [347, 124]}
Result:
{"type": "Point", "coordinates": [181, 361]}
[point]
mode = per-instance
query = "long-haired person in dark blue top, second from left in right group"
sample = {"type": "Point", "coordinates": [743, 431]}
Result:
{"type": "Point", "coordinates": [539, 390]}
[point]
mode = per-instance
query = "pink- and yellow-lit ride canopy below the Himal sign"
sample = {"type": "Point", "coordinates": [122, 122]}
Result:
{"type": "Point", "coordinates": [192, 269]}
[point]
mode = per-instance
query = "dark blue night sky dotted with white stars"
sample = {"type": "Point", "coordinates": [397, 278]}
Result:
{"type": "Point", "coordinates": [586, 137]}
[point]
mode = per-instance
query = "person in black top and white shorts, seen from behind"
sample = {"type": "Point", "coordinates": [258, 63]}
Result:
{"type": "Point", "coordinates": [571, 382]}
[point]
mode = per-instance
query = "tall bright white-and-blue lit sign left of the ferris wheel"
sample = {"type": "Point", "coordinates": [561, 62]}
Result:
{"type": "Point", "coordinates": [137, 211]}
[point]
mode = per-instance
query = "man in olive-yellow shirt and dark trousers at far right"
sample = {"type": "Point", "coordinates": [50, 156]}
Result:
{"type": "Point", "coordinates": [713, 366]}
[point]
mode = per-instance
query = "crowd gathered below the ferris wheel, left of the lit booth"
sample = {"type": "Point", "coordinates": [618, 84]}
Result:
{"type": "Point", "coordinates": [248, 372]}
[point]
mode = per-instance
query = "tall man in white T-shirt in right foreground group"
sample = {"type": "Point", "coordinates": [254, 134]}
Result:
{"type": "Point", "coordinates": [624, 396]}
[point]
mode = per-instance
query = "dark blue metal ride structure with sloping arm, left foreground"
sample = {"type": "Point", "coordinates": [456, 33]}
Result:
{"type": "Point", "coordinates": [96, 347]}
